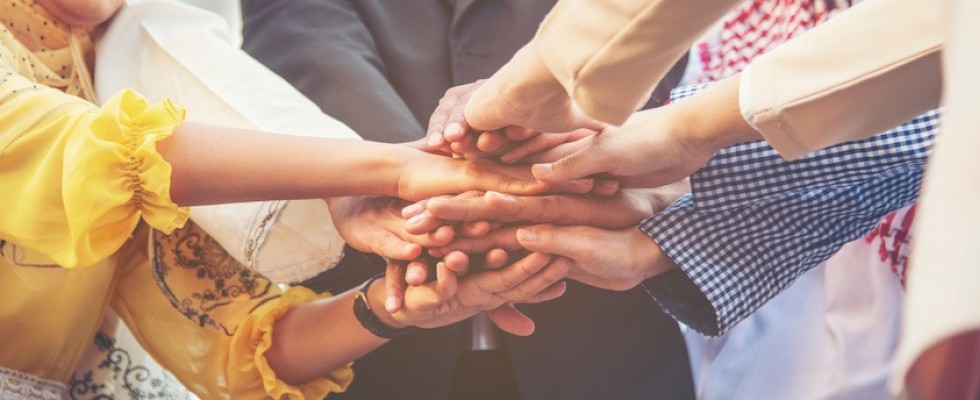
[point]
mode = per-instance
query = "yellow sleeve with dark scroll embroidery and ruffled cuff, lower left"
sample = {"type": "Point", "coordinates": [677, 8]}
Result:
{"type": "Point", "coordinates": [209, 320]}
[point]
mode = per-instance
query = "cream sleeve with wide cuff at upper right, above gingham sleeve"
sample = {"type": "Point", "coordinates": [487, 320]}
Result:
{"type": "Point", "coordinates": [868, 70]}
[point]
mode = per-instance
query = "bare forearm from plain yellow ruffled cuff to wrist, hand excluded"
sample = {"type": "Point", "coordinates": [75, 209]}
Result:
{"type": "Point", "coordinates": [219, 165]}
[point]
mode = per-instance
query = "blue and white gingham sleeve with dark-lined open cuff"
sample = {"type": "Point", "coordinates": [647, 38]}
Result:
{"type": "Point", "coordinates": [754, 222]}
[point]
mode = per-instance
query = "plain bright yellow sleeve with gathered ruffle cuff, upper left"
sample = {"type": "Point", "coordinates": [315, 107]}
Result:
{"type": "Point", "coordinates": [77, 179]}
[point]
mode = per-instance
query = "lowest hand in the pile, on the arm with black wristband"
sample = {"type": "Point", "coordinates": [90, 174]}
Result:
{"type": "Point", "coordinates": [448, 299]}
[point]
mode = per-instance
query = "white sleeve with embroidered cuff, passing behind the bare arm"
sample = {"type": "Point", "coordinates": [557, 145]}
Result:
{"type": "Point", "coordinates": [189, 52]}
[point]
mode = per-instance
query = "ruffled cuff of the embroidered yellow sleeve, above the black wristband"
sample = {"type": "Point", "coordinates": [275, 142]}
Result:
{"type": "Point", "coordinates": [252, 341]}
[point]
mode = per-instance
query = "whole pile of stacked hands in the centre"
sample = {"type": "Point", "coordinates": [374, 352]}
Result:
{"type": "Point", "coordinates": [492, 215]}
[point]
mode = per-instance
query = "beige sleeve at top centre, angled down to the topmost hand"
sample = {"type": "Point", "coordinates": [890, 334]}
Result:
{"type": "Point", "coordinates": [610, 55]}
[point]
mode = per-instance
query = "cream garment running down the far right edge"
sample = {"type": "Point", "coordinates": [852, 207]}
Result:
{"type": "Point", "coordinates": [943, 274]}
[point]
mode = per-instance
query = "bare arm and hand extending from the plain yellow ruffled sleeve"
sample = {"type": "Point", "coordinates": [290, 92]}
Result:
{"type": "Point", "coordinates": [218, 165]}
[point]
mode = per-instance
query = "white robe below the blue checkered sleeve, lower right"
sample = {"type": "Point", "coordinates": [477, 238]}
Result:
{"type": "Point", "coordinates": [831, 335]}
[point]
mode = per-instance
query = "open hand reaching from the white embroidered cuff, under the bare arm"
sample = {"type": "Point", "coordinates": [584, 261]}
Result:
{"type": "Point", "coordinates": [375, 224]}
